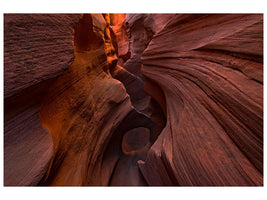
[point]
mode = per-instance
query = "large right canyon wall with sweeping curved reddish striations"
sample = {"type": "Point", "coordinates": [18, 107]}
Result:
{"type": "Point", "coordinates": [209, 68]}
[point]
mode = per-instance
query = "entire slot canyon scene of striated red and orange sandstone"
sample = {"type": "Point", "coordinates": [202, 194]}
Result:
{"type": "Point", "coordinates": [133, 100]}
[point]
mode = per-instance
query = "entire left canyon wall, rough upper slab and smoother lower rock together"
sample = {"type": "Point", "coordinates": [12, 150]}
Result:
{"type": "Point", "coordinates": [37, 48]}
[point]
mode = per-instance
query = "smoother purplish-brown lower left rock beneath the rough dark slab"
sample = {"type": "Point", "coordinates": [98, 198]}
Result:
{"type": "Point", "coordinates": [27, 146]}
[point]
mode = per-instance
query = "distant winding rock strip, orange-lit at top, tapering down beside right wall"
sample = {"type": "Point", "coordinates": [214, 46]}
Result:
{"type": "Point", "coordinates": [135, 31]}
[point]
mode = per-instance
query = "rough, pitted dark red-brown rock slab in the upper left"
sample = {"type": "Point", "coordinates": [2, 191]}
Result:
{"type": "Point", "coordinates": [37, 47]}
